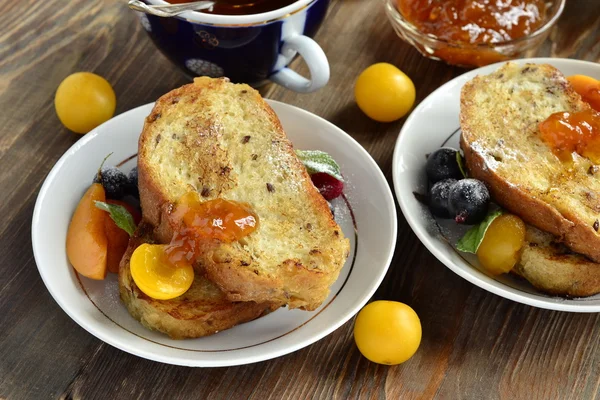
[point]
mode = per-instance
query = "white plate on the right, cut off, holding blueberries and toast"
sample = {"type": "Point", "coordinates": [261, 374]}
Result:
{"type": "Point", "coordinates": [435, 123]}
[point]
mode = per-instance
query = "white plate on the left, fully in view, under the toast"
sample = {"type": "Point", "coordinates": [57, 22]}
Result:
{"type": "Point", "coordinates": [95, 305]}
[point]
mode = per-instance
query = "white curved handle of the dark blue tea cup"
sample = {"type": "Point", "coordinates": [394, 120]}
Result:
{"type": "Point", "coordinates": [315, 59]}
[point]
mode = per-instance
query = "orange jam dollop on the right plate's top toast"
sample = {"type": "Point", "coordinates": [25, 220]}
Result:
{"type": "Point", "coordinates": [576, 132]}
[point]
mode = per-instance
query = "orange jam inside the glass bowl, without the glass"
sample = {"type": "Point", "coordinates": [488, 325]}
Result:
{"type": "Point", "coordinates": [475, 21]}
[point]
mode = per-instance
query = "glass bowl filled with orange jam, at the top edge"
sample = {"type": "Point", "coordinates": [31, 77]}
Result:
{"type": "Point", "coordinates": [473, 33]}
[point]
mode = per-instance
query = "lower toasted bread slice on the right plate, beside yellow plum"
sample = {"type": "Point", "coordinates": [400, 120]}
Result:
{"type": "Point", "coordinates": [552, 268]}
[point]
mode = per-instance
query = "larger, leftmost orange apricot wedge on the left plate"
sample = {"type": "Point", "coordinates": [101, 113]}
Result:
{"type": "Point", "coordinates": [87, 244]}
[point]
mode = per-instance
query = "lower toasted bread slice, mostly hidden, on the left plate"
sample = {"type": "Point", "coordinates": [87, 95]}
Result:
{"type": "Point", "coordinates": [203, 310]}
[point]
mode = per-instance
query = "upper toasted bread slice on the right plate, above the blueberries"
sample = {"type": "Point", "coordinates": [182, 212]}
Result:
{"type": "Point", "coordinates": [499, 117]}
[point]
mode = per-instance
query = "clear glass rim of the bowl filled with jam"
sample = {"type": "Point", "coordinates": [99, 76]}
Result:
{"type": "Point", "coordinates": [396, 17]}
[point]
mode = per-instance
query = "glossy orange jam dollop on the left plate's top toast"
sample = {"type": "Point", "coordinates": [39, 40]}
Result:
{"type": "Point", "coordinates": [222, 220]}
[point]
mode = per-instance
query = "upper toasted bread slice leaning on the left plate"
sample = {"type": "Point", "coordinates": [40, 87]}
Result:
{"type": "Point", "coordinates": [223, 140]}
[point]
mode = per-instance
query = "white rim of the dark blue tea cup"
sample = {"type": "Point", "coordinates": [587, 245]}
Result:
{"type": "Point", "coordinates": [240, 20]}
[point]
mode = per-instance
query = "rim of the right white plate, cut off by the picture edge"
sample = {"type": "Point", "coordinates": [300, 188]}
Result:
{"type": "Point", "coordinates": [499, 288]}
